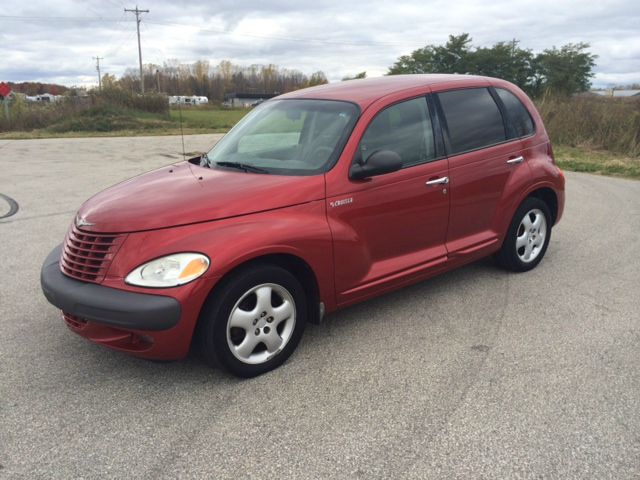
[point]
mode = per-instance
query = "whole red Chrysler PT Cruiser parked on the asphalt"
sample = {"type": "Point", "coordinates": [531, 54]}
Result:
{"type": "Point", "coordinates": [316, 200]}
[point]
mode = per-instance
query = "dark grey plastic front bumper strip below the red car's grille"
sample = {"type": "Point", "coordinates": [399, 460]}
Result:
{"type": "Point", "coordinates": [105, 305]}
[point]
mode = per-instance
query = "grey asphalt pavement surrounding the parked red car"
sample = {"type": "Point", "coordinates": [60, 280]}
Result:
{"type": "Point", "coordinates": [477, 373]}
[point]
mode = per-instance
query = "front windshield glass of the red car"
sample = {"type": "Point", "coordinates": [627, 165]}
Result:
{"type": "Point", "coordinates": [287, 137]}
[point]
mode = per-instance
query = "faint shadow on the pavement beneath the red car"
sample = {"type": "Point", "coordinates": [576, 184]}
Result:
{"type": "Point", "coordinates": [408, 306]}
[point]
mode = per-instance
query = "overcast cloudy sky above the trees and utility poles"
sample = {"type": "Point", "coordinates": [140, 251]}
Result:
{"type": "Point", "coordinates": [55, 40]}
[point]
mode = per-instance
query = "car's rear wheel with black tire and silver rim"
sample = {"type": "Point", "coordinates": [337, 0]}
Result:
{"type": "Point", "coordinates": [528, 236]}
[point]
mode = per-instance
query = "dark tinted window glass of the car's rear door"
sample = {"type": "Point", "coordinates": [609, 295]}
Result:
{"type": "Point", "coordinates": [473, 119]}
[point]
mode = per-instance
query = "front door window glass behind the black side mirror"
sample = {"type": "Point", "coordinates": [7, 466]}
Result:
{"type": "Point", "coordinates": [404, 128]}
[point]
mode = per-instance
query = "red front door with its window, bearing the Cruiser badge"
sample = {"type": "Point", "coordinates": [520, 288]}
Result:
{"type": "Point", "coordinates": [390, 229]}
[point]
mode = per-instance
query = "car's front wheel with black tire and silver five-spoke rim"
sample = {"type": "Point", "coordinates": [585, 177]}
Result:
{"type": "Point", "coordinates": [253, 322]}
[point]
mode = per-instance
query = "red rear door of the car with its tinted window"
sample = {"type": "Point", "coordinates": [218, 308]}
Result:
{"type": "Point", "coordinates": [482, 161]}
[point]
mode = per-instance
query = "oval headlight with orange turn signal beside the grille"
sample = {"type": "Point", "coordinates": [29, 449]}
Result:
{"type": "Point", "coordinates": [169, 271]}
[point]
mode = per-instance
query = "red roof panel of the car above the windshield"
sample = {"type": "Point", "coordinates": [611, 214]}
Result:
{"type": "Point", "coordinates": [366, 91]}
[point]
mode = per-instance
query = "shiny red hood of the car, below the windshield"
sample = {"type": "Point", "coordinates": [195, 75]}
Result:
{"type": "Point", "coordinates": [184, 193]}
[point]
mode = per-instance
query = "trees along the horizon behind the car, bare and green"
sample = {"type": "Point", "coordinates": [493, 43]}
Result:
{"type": "Point", "coordinates": [563, 71]}
